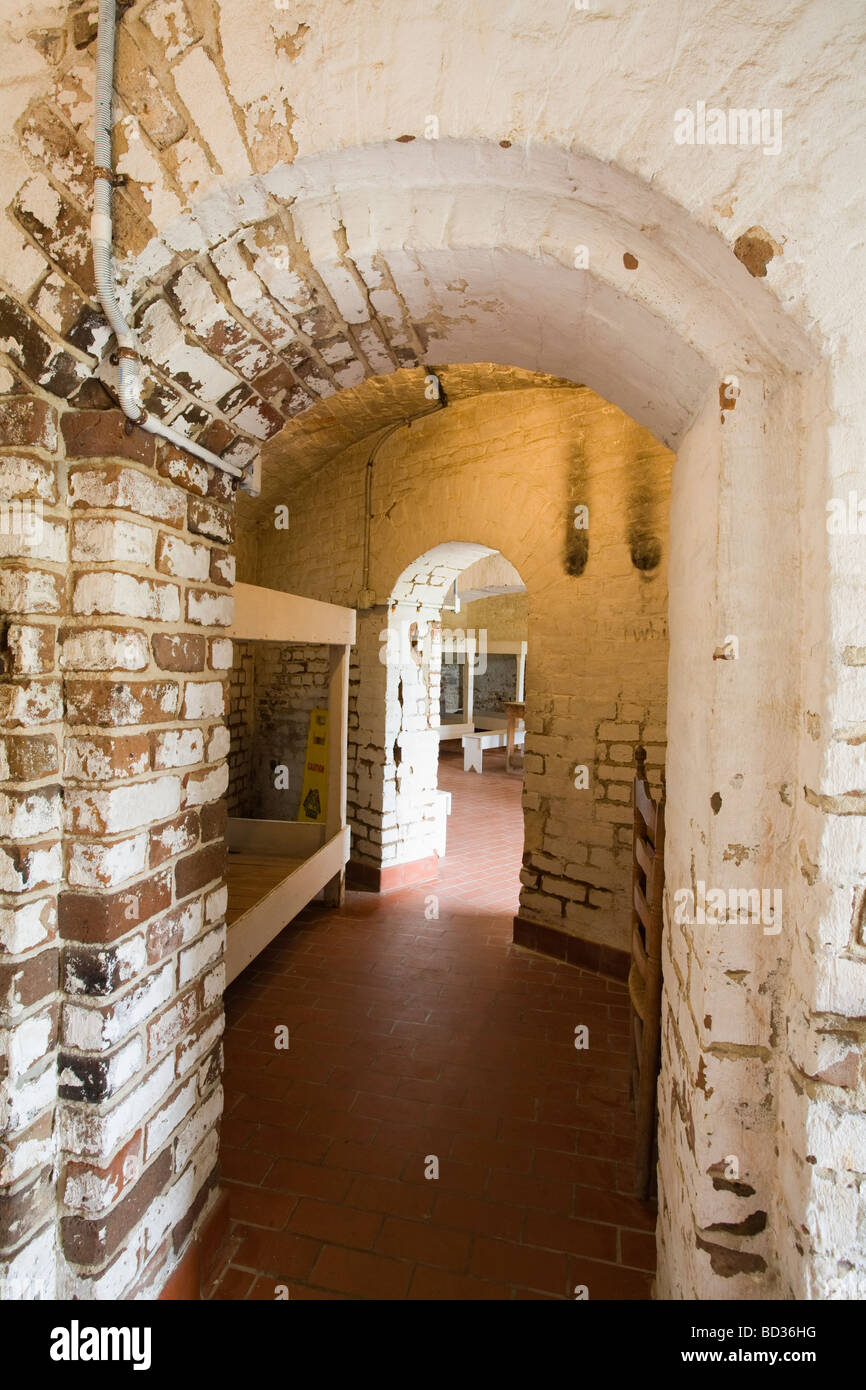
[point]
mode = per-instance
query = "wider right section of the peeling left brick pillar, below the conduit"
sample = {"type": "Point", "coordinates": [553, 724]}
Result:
{"type": "Point", "coordinates": [142, 906]}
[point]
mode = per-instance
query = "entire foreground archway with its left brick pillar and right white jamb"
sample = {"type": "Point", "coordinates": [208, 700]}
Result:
{"type": "Point", "coordinates": [660, 341]}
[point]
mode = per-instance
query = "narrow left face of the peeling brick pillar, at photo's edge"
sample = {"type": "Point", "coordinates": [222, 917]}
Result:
{"type": "Point", "coordinates": [33, 601]}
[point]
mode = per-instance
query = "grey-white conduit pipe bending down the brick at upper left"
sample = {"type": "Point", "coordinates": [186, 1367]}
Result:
{"type": "Point", "coordinates": [102, 238]}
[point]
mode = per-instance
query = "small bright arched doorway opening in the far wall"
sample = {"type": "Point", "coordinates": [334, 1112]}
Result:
{"type": "Point", "coordinates": [457, 658]}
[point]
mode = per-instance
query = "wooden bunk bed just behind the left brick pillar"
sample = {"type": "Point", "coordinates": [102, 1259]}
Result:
{"type": "Point", "coordinates": [276, 868]}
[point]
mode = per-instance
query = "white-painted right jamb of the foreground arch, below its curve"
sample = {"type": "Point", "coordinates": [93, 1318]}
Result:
{"type": "Point", "coordinates": [732, 792]}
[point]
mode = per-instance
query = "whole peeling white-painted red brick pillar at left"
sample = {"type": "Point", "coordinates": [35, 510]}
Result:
{"type": "Point", "coordinates": [113, 772]}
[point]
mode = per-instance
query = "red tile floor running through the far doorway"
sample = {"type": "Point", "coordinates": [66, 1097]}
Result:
{"type": "Point", "coordinates": [411, 1036]}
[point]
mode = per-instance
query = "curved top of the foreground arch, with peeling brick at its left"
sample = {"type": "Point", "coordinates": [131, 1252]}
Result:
{"type": "Point", "coordinates": [262, 284]}
